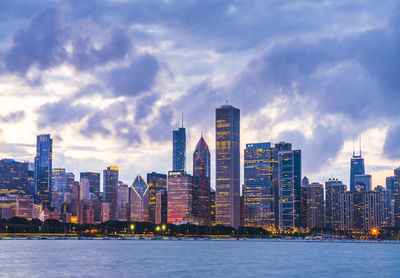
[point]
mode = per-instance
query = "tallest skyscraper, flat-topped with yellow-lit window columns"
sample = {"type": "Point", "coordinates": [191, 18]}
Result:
{"type": "Point", "coordinates": [227, 149]}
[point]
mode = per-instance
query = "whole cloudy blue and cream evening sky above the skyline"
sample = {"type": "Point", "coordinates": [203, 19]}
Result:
{"type": "Point", "coordinates": [110, 79]}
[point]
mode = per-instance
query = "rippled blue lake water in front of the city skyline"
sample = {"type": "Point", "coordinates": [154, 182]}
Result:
{"type": "Point", "coordinates": [145, 258]}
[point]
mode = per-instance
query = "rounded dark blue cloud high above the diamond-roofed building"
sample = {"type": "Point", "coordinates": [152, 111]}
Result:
{"type": "Point", "coordinates": [138, 77]}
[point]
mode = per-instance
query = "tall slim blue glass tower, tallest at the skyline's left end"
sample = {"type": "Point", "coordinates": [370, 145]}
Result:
{"type": "Point", "coordinates": [43, 169]}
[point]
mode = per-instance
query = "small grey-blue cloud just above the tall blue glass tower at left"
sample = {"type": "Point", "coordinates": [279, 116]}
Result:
{"type": "Point", "coordinates": [60, 113]}
